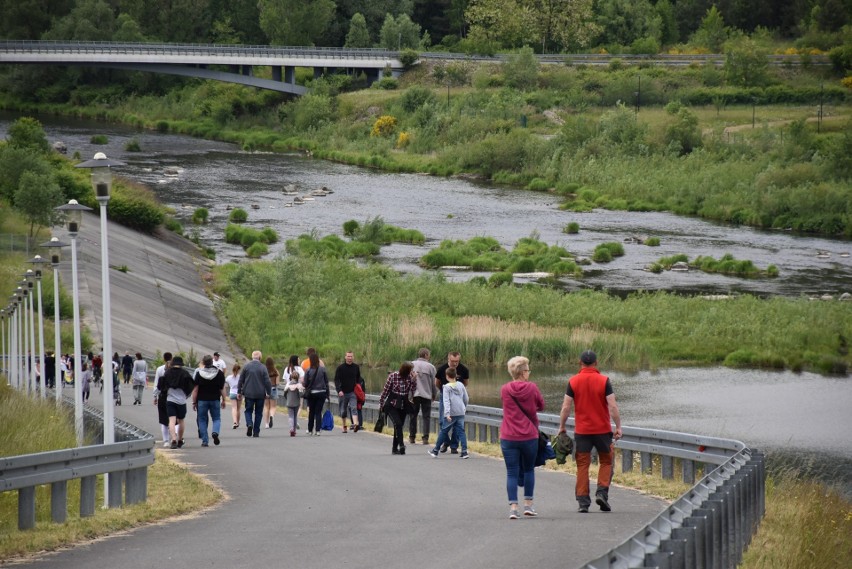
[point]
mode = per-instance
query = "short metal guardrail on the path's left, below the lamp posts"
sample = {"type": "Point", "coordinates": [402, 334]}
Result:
{"type": "Point", "coordinates": [126, 461]}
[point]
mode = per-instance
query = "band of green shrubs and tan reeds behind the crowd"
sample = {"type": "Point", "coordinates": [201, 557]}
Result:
{"type": "Point", "coordinates": [386, 317]}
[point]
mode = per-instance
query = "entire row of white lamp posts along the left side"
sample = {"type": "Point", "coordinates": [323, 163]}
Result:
{"type": "Point", "coordinates": [21, 329]}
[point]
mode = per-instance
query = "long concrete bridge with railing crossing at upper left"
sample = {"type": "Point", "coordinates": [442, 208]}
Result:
{"type": "Point", "coordinates": [229, 63]}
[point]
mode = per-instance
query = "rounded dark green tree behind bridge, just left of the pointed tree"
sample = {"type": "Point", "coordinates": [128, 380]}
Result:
{"type": "Point", "coordinates": [295, 22]}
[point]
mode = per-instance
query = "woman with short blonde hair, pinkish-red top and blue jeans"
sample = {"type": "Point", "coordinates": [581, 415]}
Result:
{"type": "Point", "coordinates": [519, 433]}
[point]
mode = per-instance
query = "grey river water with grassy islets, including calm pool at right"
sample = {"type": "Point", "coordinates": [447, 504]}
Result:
{"type": "Point", "coordinates": [800, 418]}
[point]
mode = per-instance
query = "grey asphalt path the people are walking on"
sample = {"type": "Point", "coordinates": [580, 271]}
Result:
{"type": "Point", "coordinates": [343, 500]}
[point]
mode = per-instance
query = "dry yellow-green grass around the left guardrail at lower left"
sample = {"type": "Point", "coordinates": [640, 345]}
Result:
{"type": "Point", "coordinates": [29, 426]}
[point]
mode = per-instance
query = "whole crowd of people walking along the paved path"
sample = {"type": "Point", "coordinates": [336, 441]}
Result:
{"type": "Point", "coordinates": [255, 388]}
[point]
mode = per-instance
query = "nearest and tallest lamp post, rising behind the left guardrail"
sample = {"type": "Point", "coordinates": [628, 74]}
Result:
{"type": "Point", "coordinates": [102, 184]}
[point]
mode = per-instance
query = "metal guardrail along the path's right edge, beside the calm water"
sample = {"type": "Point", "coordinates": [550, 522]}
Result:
{"type": "Point", "coordinates": [709, 527]}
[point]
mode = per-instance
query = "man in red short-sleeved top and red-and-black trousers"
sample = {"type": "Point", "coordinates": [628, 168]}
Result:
{"type": "Point", "coordinates": [594, 401]}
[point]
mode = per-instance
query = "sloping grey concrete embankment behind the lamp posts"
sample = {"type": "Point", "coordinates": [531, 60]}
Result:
{"type": "Point", "coordinates": [158, 304]}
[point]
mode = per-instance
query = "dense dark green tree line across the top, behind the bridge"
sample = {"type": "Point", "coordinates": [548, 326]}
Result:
{"type": "Point", "coordinates": [550, 25]}
